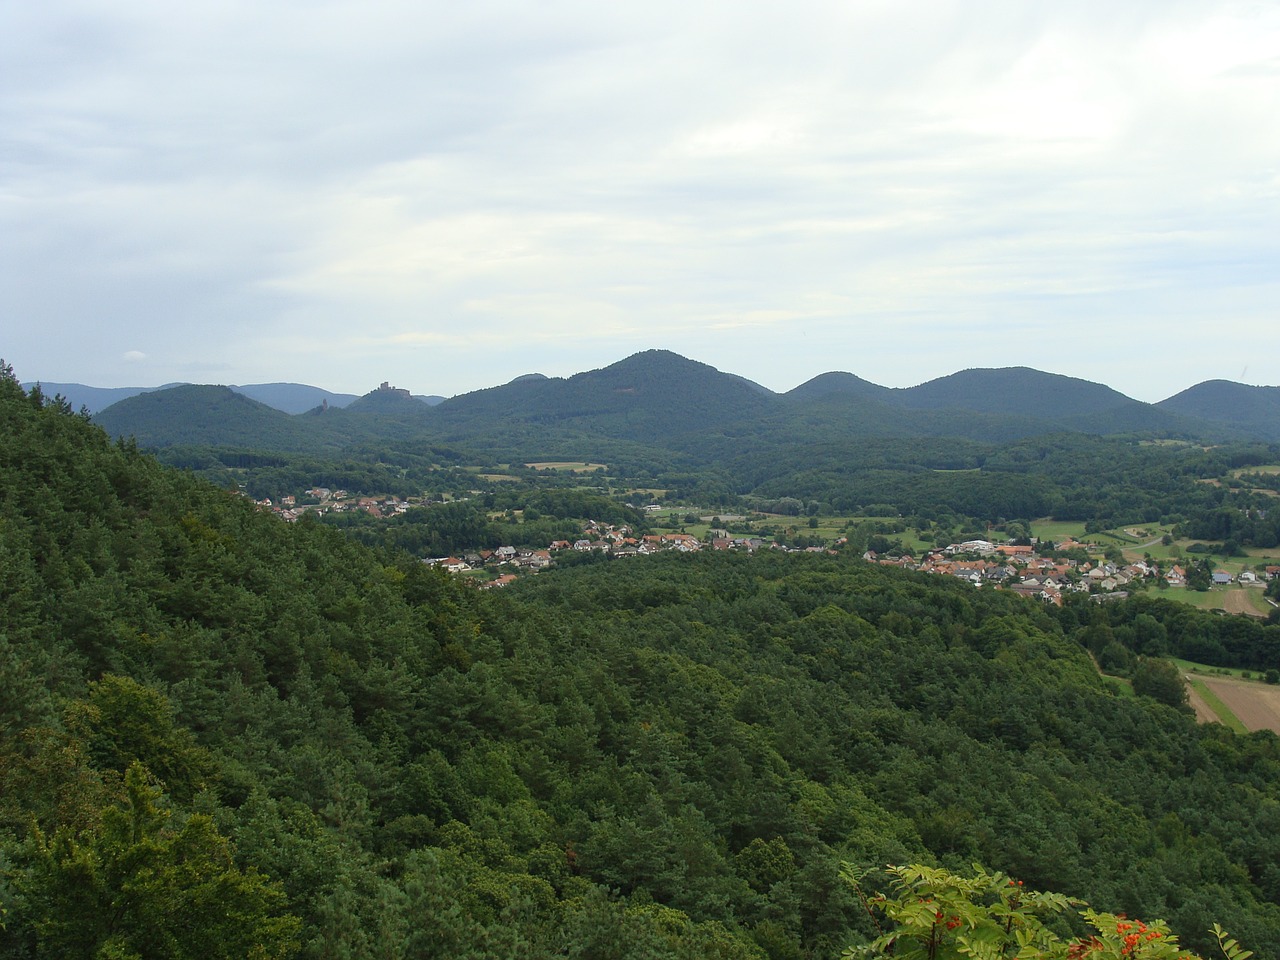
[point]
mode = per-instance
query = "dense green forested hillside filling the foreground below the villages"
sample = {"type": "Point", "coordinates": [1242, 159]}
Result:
{"type": "Point", "coordinates": [225, 737]}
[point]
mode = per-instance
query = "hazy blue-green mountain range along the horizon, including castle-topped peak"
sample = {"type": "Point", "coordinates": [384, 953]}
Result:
{"type": "Point", "coordinates": [661, 400]}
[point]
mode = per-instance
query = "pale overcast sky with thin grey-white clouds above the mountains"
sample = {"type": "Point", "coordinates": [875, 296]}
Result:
{"type": "Point", "coordinates": [450, 195]}
